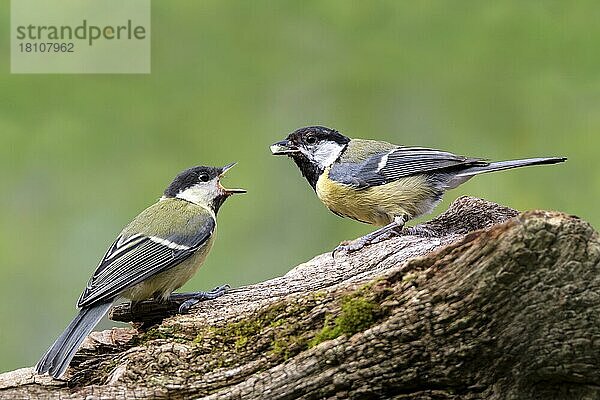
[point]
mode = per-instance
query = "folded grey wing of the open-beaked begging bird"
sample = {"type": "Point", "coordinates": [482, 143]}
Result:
{"type": "Point", "coordinates": [136, 258]}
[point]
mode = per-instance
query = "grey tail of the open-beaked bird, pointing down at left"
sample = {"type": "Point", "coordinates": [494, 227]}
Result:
{"type": "Point", "coordinates": [57, 358]}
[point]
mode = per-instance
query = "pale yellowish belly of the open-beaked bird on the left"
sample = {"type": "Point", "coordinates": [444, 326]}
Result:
{"type": "Point", "coordinates": [167, 282]}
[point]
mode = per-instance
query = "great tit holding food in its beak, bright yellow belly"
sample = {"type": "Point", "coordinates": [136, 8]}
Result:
{"type": "Point", "coordinates": [380, 183]}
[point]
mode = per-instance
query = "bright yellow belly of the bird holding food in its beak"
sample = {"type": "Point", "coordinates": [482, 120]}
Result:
{"type": "Point", "coordinates": [377, 205]}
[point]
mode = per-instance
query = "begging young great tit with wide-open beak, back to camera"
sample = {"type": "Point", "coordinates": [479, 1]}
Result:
{"type": "Point", "coordinates": [154, 255]}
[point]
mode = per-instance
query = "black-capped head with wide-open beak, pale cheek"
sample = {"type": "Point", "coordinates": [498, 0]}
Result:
{"type": "Point", "coordinates": [201, 185]}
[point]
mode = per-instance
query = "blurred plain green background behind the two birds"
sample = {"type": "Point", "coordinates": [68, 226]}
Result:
{"type": "Point", "coordinates": [81, 155]}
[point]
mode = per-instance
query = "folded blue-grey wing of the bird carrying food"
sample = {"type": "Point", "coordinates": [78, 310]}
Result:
{"type": "Point", "coordinates": [397, 163]}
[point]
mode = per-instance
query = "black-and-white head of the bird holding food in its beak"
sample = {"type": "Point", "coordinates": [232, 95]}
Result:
{"type": "Point", "coordinates": [313, 149]}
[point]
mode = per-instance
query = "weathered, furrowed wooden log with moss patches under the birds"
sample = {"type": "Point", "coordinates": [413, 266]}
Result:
{"type": "Point", "coordinates": [494, 305]}
